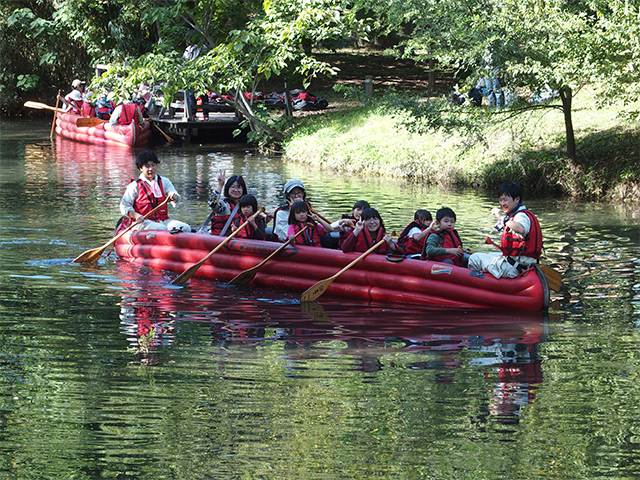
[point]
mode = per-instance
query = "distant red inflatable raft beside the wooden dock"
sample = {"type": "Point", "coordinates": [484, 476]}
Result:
{"type": "Point", "coordinates": [104, 133]}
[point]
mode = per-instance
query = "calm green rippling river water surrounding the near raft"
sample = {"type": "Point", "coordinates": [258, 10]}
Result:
{"type": "Point", "coordinates": [110, 371]}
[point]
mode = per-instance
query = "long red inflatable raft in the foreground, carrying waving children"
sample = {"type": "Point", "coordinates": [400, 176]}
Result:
{"type": "Point", "coordinates": [374, 278]}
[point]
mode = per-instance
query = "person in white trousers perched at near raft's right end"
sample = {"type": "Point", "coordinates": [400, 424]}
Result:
{"type": "Point", "coordinates": [521, 241]}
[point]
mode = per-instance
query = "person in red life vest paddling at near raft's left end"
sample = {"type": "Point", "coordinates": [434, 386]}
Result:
{"type": "Point", "coordinates": [147, 192]}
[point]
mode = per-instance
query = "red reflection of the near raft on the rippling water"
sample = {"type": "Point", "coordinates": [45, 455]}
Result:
{"type": "Point", "coordinates": [503, 349]}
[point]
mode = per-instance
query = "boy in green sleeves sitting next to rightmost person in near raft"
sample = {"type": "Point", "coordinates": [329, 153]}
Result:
{"type": "Point", "coordinates": [445, 245]}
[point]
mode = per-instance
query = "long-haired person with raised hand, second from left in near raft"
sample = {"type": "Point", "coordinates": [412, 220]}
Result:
{"type": "Point", "coordinates": [224, 202]}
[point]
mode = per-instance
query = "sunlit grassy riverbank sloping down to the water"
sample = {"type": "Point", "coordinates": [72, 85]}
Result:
{"type": "Point", "coordinates": [530, 148]}
